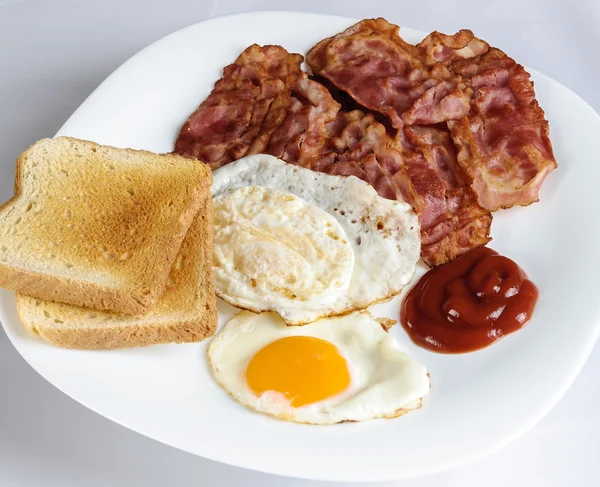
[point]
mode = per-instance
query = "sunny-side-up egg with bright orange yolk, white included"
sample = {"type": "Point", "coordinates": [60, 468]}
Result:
{"type": "Point", "coordinates": [333, 370]}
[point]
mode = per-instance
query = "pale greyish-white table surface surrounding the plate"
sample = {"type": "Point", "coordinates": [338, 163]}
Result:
{"type": "Point", "coordinates": [54, 53]}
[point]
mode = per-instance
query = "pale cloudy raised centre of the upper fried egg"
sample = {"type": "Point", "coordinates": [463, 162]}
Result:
{"type": "Point", "coordinates": [272, 250]}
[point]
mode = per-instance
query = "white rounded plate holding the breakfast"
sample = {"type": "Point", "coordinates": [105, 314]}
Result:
{"type": "Point", "coordinates": [478, 402]}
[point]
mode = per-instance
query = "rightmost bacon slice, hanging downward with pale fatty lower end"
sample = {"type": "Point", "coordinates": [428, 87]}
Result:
{"type": "Point", "coordinates": [503, 142]}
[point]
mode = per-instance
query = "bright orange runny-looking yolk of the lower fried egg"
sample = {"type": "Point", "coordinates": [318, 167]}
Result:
{"type": "Point", "coordinates": [304, 369]}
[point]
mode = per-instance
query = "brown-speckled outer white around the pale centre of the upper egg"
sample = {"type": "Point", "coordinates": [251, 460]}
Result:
{"type": "Point", "coordinates": [383, 234]}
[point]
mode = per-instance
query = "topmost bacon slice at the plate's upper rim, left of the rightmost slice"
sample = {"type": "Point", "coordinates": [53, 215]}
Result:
{"type": "Point", "coordinates": [372, 63]}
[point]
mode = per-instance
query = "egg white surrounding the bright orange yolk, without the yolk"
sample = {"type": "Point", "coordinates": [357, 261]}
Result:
{"type": "Point", "coordinates": [385, 382]}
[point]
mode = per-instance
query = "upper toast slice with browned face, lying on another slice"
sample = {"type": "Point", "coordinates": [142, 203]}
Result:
{"type": "Point", "coordinates": [97, 226]}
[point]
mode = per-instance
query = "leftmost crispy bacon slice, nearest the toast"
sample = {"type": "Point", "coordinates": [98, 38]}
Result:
{"type": "Point", "coordinates": [229, 121]}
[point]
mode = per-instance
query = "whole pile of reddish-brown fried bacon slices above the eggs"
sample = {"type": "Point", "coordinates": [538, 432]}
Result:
{"type": "Point", "coordinates": [459, 132]}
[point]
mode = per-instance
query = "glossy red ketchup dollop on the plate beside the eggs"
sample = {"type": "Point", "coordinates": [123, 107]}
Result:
{"type": "Point", "coordinates": [469, 303]}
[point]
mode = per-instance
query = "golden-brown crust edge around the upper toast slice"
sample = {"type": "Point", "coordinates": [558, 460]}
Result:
{"type": "Point", "coordinates": [92, 294]}
